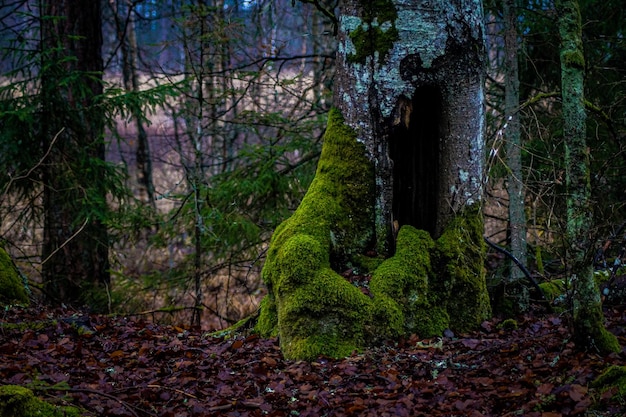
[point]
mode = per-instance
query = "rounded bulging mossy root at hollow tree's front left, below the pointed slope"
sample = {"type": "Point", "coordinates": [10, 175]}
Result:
{"type": "Point", "coordinates": [313, 310]}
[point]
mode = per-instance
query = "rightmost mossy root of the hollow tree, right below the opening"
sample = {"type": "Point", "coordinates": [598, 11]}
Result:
{"type": "Point", "coordinates": [460, 271]}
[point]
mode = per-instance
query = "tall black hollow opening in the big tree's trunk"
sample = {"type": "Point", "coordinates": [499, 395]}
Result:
{"type": "Point", "coordinates": [414, 147]}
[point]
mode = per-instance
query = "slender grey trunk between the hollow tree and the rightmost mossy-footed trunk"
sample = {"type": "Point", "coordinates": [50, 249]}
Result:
{"type": "Point", "coordinates": [513, 145]}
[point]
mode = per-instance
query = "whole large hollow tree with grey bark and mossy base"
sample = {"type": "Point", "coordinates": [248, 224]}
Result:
{"type": "Point", "coordinates": [397, 191]}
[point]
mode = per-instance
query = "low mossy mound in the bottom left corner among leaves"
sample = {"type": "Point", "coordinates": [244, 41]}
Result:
{"type": "Point", "coordinates": [16, 401]}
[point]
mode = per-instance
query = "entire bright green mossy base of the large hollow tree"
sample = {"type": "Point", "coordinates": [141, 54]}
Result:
{"type": "Point", "coordinates": [424, 288]}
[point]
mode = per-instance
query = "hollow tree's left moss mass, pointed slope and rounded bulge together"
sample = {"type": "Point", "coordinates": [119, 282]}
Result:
{"type": "Point", "coordinates": [313, 309]}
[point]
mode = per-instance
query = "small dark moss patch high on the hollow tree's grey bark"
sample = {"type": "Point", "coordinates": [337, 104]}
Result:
{"type": "Point", "coordinates": [377, 33]}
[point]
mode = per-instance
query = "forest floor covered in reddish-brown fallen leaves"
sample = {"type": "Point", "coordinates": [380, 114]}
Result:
{"type": "Point", "coordinates": [130, 367]}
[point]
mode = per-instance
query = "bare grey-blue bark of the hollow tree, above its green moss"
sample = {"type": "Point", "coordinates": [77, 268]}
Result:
{"type": "Point", "coordinates": [409, 81]}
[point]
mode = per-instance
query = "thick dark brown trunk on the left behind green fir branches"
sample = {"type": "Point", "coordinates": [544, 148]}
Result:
{"type": "Point", "coordinates": [75, 249]}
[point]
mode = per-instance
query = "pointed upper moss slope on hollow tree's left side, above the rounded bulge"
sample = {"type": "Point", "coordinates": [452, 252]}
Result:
{"type": "Point", "coordinates": [337, 210]}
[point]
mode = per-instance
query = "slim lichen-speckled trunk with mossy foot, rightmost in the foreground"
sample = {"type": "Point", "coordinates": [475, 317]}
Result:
{"type": "Point", "coordinates": [589, 331]}
